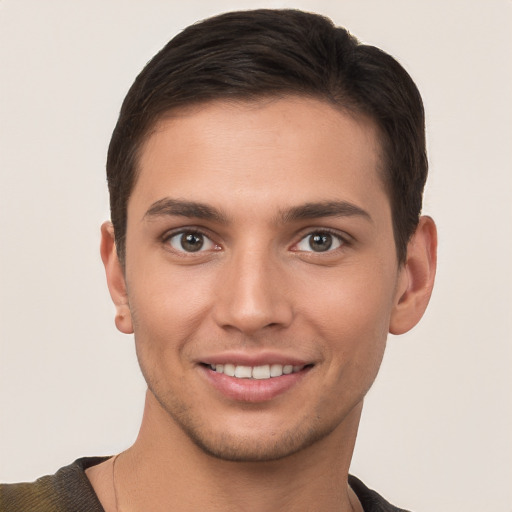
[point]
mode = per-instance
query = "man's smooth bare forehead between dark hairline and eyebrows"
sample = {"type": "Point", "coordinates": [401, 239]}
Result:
{"type": "Point", "coordinates": [280, 150]}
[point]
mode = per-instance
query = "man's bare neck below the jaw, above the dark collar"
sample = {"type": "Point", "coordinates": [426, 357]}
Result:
{"type": "Point", "coordinates": [165, 470]}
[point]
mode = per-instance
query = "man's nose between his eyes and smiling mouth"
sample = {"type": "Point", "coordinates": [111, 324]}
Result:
{"type": "Point", "coordinates": [252, 293]}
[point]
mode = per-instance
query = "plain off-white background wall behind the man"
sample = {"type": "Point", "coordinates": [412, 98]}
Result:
{"type": "Point", "coordinates": [436, 431]}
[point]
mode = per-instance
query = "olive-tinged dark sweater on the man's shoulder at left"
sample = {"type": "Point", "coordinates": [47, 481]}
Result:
{"type": "Point", "coordinates": [68, 490]}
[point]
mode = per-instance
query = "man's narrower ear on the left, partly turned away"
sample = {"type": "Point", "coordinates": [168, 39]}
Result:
{"type": "Point", "coordinates": [115, 278]}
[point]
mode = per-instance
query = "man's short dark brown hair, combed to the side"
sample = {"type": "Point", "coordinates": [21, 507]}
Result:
{"type": "Point", "coordinates": [250, 54]}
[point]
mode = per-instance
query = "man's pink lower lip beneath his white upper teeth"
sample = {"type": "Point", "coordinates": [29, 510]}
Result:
{"type": "Point", "coordinates": [253, 390]}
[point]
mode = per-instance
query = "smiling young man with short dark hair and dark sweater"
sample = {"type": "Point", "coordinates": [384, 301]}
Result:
{"type": "Point", "coordinates": [266, 177]}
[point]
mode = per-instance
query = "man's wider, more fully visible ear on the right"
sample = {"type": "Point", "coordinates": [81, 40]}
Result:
{"type": "Point", "coordinates": [416, 278]}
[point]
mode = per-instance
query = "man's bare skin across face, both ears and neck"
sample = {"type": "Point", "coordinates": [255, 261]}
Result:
{"type": "Point", "coordinates": [257, 290]}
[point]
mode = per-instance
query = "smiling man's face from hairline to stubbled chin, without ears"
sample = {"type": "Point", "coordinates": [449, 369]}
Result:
{"type": "Point", "coordinates": [261, 273]}
